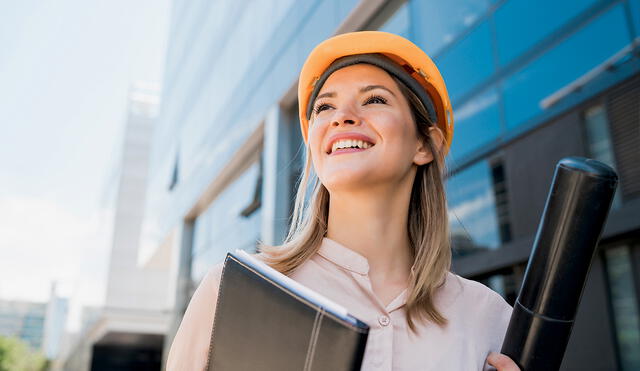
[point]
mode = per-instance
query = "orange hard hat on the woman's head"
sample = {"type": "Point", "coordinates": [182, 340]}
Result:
{"type": "Point", "coordinates": [395, 54]}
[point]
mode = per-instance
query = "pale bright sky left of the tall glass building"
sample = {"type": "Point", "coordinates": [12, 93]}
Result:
{"type": "Point", "coordinates": [65, 70]}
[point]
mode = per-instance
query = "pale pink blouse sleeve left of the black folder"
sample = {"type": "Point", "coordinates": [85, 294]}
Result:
{"type": "Point", "coordinates": [190, 347]}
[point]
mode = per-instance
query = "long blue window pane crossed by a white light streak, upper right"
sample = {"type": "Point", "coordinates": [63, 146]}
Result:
{"type": "Point", "coordinates": [575, 56]}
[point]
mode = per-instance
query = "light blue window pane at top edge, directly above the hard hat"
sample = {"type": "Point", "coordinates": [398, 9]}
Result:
{"type": "Point", "coordinates": [437, 23]}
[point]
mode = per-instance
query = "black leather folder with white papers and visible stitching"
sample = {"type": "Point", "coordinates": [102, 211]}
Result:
{"type": "Point", "coordinates": [266, 321]}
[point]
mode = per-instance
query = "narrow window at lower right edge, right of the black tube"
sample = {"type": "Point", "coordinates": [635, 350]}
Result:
{"type": "Point", "coordinates": [625, 307]}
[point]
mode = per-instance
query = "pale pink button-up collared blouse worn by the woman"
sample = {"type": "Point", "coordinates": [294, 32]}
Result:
{"type": "Point", "coordinates": [477, 318]}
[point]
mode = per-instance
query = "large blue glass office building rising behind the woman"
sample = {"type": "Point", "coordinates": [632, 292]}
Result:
{"type": "Point", "coordinates": [530, 83]}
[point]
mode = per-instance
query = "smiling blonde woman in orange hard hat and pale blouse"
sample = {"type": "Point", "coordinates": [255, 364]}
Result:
{"type": "Point", "coordinates": [377, 124]}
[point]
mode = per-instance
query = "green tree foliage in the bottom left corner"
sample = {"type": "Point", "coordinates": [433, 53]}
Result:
{"type": "Point", "coordinates": [15, 355]}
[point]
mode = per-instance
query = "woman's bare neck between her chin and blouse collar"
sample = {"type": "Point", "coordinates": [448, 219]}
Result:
{"type": "Point", "coordinates": [373, 223]}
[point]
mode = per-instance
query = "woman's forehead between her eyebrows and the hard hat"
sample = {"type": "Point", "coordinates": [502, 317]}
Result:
{"type": "Point", "coordinates": [358, 75]}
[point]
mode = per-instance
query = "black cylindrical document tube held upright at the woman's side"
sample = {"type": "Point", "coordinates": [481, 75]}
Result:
{"type": "Point", "coordinates": [571, 224]}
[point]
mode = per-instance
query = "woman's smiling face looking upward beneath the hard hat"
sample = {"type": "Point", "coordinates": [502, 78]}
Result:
{"type": "Point", "coordinates": [362, 106]}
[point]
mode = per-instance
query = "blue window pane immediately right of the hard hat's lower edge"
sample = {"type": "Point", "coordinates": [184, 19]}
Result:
{"type": "Point", "coordinates": [477, 123]}
